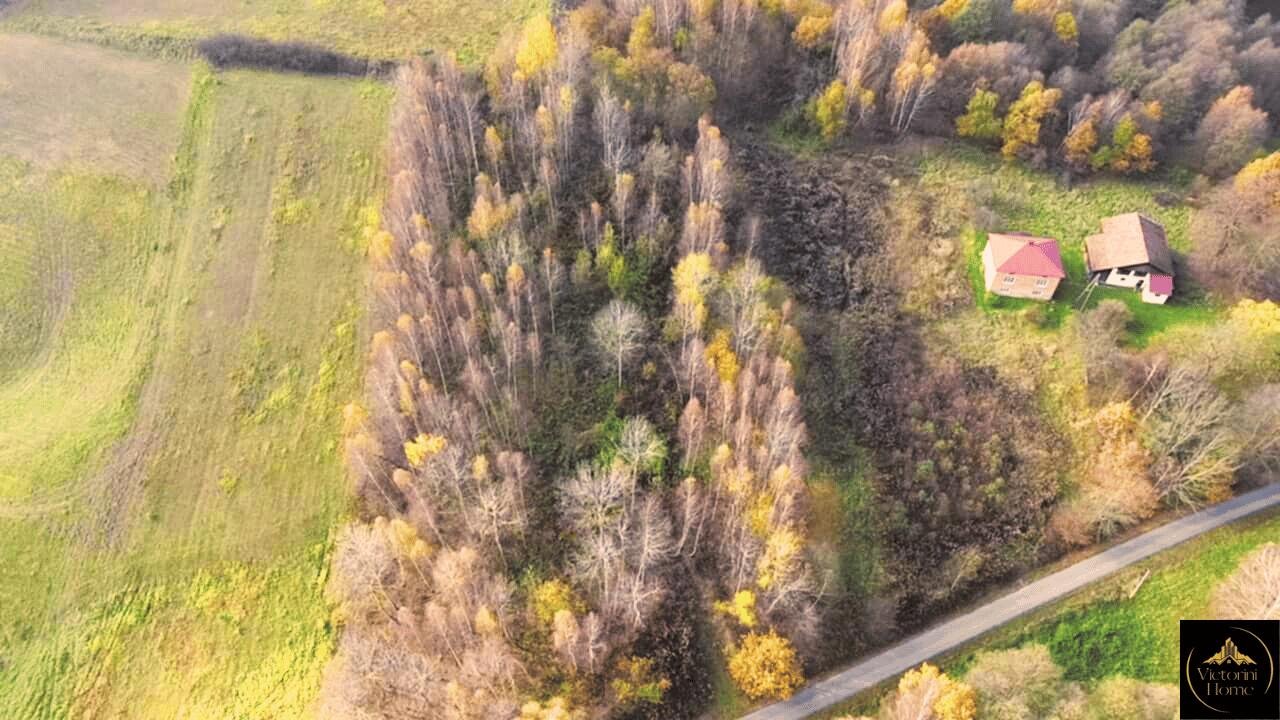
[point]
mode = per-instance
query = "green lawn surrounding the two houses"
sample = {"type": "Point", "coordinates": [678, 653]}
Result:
{"type": "Point", "coordinates": [1034, 202]}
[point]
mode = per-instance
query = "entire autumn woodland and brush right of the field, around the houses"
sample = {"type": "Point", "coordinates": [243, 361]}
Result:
{"type": "Point", "coordinates": [620, 350]}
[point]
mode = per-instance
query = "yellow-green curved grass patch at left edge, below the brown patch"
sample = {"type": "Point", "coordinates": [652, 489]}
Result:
{"type": "Point", "coordinates": [77, 254]}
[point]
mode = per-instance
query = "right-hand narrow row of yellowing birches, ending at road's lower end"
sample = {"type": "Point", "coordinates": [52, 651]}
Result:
{"type": "Point", "coordinates": [744, 427]}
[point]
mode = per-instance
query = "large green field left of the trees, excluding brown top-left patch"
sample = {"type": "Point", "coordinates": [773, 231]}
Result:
{"type": "Point", "coordinates": [170, 472]}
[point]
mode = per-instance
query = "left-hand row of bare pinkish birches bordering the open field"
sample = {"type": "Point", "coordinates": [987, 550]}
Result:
{"type": "Point", "coordinates": [437, 454]}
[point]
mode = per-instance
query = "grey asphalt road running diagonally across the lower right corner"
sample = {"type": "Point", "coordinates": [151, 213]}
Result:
{"type": "Point", "coordinates": [954, 634]}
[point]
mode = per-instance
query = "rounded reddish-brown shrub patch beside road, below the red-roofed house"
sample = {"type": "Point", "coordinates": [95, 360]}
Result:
{"type": "Point", "coordinates": [970, 484]}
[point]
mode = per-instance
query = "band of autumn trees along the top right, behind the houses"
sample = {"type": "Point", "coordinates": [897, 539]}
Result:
{"type": "Point", "coordinates": [1096, 86]}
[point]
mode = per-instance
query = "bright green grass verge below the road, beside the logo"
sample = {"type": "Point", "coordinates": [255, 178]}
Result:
{"type": "Point", "coordinates": [1101, 632]}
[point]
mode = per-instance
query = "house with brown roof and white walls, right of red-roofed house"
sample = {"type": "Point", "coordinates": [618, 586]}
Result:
{"type": "Point", "coordinates": [1132, 252]}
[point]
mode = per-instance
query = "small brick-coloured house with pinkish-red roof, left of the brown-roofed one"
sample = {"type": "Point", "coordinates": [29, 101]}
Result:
{"type": "Point", "coordinates": [1021, 266]}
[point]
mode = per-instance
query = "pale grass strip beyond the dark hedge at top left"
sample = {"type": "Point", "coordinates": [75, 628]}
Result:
{"type": "Point", "coordinates": [371, 29]}
